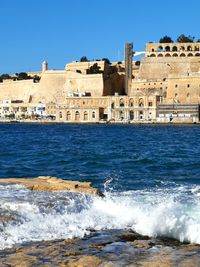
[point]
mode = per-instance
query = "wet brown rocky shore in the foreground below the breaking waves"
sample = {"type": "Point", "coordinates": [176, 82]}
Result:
{"type": "Point", "coordinates": [113, 248]}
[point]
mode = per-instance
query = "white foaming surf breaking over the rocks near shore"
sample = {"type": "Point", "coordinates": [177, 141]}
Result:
{"type": "Point", "coordinates": [39, 216]}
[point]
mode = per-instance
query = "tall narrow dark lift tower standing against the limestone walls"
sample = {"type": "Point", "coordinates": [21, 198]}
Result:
{"type": "Point", "coordinates": [128, 66]}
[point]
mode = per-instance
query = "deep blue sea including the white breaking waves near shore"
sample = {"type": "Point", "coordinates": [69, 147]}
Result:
{"type": "Point", "coordinates": [150, 175]}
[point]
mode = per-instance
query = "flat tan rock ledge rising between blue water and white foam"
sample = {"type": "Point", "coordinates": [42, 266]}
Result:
{"type": "Point", "coordinates": [48, 183]}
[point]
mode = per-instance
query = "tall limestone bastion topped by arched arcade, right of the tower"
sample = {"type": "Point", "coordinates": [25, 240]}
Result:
{"type": "Point", "coordinates": [172, 72]}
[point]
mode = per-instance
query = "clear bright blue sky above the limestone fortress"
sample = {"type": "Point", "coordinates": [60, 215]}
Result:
{"type": "Point", "coordinates": [61, 31]}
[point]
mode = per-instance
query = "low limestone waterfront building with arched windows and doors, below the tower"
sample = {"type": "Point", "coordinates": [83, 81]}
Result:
{"type": "Point", "coordinates": [118, 108]}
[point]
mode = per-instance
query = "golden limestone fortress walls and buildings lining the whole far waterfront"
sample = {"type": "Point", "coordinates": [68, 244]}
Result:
{"type": "Point", "coordinates": [166, 81]}
